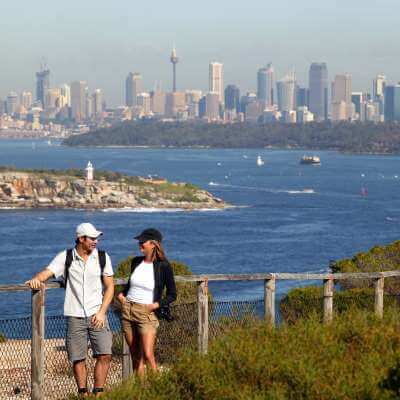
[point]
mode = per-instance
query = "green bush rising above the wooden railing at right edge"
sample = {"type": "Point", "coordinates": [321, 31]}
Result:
{"type": "Point", "coordinates": [379, 258]}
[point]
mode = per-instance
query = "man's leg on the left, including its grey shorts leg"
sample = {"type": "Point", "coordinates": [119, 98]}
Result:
{"type": "Point", "coordinates": [77, 338]}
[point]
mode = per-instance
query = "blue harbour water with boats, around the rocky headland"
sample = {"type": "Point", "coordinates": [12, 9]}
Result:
{"type": "Point", "coordinates": [276, 226]}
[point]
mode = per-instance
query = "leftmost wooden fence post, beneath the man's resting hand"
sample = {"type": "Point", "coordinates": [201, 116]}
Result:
{"type": "Point", "coordinates": [37, 344]}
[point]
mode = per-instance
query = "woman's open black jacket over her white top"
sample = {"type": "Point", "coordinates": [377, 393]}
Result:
{"type": "Point", "coordinates": [163, 278]}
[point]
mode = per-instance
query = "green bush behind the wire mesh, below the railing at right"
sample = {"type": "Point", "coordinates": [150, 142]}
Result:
{"type": "Point", "coordinates": [307, 302]}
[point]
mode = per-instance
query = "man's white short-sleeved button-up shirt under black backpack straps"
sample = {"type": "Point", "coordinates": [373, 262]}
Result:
{"type": "Point", "coordinates": [84, 292]}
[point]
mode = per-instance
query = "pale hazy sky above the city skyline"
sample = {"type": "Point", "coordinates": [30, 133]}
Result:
{"type": "Point", "coordinates": [101, 41]}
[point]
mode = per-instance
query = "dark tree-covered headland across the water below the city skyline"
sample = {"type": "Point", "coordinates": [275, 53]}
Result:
{"type": "Point", "coordinates": [365, 137]}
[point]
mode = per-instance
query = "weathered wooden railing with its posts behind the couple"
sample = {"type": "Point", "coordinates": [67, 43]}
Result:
{"type": "Point", "coordinates": [270, 281]}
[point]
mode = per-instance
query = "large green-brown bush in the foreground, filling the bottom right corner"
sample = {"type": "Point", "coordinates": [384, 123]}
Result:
{"type": "Point", "coordinates": [354, 357]}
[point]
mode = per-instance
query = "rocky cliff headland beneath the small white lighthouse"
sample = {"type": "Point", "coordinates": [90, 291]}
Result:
{"type": "Point", "coordinates": [32, 190]}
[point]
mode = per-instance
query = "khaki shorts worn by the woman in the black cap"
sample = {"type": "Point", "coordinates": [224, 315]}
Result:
{"type": "Point", "coordinates": [135, 315]}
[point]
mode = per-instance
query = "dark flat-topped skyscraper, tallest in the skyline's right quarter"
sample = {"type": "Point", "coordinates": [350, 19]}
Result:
{"type": "Point", "coordinates": [318, 94]}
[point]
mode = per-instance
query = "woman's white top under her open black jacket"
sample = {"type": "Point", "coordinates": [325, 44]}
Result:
{"type": "Point", "coordinates": [142, 284]}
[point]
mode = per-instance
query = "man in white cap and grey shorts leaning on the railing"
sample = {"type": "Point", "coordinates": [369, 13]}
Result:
{"type": "Point", "coordinates": [89, 289]}
